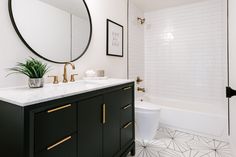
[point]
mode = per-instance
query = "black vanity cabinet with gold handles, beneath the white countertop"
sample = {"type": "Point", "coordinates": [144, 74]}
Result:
{"type": "Point", "coordinates": [93, 124]}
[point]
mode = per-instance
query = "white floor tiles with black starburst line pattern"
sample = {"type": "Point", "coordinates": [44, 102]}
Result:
{"type": "Point", "coordinates": [173, 143]}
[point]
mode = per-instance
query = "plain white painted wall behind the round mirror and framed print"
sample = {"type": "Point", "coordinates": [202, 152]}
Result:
{"type": "Point", "coordinates": [13, 50]}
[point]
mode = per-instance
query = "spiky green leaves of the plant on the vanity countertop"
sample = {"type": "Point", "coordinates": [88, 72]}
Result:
{"type": "Point", "coordinates": [32, 68]}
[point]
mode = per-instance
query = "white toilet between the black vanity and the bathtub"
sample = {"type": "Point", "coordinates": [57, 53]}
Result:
{"type": "Point", "coordinates": [147, 120]}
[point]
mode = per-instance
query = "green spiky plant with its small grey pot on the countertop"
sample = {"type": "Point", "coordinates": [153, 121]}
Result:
{"type": "Point", "coordinates": [34, 69]}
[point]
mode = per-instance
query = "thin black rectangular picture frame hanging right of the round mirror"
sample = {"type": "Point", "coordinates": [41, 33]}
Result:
{"type": "Point", "coordinates": [109, 40]}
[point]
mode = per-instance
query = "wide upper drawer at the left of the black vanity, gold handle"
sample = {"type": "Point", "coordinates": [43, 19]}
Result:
{"type": "Point", "coordinates": [53, 124]}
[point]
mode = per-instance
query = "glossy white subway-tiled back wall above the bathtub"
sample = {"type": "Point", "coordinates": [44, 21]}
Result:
{"type": "Point", "coordinates": [185, 56]}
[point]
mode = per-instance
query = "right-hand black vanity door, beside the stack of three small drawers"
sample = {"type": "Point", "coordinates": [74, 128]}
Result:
{"type": "Point", "coordinates": [111, 126]}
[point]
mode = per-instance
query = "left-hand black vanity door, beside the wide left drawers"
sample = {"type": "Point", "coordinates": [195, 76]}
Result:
{"type": "Point", "coordinates": [90, 127]}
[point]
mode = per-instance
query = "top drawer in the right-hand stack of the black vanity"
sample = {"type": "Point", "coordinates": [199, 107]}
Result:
{"type": "Point", "coordinates": [127, 96]}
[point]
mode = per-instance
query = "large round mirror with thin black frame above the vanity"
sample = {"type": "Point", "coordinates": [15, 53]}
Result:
{"type": "Point", "coordinates": [58, 31]}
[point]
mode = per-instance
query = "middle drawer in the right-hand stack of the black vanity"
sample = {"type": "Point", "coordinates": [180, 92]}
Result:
{"type": "Point", "coordinates": [126, 114]}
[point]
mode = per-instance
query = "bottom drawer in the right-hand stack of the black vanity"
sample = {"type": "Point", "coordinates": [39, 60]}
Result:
{"type": "Point", "coordinates": [127, 133]}
